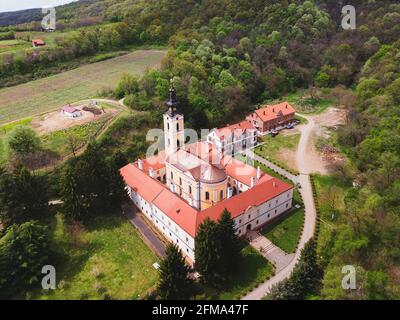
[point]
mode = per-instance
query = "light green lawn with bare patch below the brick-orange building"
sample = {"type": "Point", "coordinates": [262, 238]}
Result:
{"type": "Point", "coordinates": [274, 149]}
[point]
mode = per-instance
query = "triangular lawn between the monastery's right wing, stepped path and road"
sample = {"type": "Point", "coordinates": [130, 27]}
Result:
{"type": "Point", "coordinates": [285, 231]}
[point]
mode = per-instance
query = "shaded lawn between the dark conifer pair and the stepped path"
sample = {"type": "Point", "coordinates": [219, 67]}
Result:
{"type": "Point", "coordinates": [253, 269]}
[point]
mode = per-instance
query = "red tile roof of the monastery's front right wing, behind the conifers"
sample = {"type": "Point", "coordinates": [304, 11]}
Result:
{"type": "Point", "coordinates": [237, 205]}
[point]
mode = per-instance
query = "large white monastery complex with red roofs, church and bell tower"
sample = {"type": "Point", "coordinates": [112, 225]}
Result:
{"type": "Point", "coordinates": [185, 184]}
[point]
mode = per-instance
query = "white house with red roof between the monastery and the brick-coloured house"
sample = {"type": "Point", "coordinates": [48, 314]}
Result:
{"type": "Point", "coordinates": [233, 138]}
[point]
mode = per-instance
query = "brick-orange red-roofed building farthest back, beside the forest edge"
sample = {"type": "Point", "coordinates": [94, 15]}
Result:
{"type": "Point", "coordinates": [274, 117]}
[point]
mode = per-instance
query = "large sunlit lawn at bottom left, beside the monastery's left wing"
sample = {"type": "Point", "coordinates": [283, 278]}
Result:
{"type": "Point", "coordinates": [105, 257]}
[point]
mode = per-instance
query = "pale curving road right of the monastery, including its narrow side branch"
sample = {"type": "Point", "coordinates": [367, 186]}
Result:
{"type": "Point", "coordinates": [309, 208]}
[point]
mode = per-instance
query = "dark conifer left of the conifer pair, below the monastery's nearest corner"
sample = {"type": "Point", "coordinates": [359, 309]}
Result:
{"type": "Point", "coordinates": [174, 283]}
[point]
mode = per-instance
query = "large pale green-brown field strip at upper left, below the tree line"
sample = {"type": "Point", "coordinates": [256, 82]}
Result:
{"type": "Point", "coordinates": [82, 83]}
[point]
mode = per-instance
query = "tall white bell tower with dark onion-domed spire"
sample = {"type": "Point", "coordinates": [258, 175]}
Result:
{"type": "Point", "coordinates": [174, 136]}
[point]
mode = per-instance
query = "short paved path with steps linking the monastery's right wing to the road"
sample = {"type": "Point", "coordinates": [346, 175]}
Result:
{"type": "Point", "coordinates": [279, 258]}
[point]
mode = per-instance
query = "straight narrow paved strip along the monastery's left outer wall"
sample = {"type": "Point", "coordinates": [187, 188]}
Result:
{"type": "Point", "coordinates": [147, 234]}
